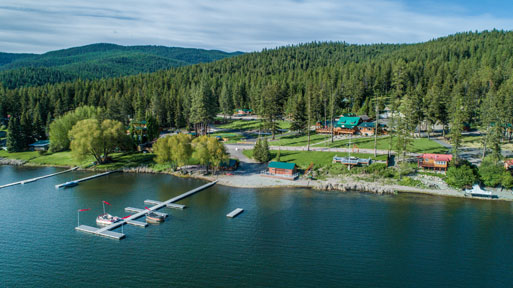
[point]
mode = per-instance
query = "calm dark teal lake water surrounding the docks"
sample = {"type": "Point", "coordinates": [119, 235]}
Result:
{"type": "Point", "coordinates": [284, 237]}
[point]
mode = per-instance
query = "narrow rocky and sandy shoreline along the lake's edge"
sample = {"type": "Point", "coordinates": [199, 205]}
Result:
{"type": "Point", "coordinates": [255, 181]}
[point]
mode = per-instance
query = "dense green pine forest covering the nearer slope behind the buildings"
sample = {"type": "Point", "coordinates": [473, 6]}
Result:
{"type": "Point", "coordinates": [464, 78]}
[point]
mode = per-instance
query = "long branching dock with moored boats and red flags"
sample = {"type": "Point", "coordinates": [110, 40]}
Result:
{"type": "Point", "coordinates": [106, 231]}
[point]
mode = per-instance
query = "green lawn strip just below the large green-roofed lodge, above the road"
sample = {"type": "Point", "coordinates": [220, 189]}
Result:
{"type": "Point", "coordinates": [418, 145]}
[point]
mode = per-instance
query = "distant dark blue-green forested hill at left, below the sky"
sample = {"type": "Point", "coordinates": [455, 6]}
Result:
{"type": "Point", "coordinates": [97, 61]}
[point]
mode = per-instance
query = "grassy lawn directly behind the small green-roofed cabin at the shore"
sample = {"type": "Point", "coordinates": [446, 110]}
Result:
{"type": "Point", "coordinates": [304, 158]}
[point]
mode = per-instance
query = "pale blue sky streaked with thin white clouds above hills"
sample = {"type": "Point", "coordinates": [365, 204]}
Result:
{"type": "Point", "coordinates": [239, 25]}
